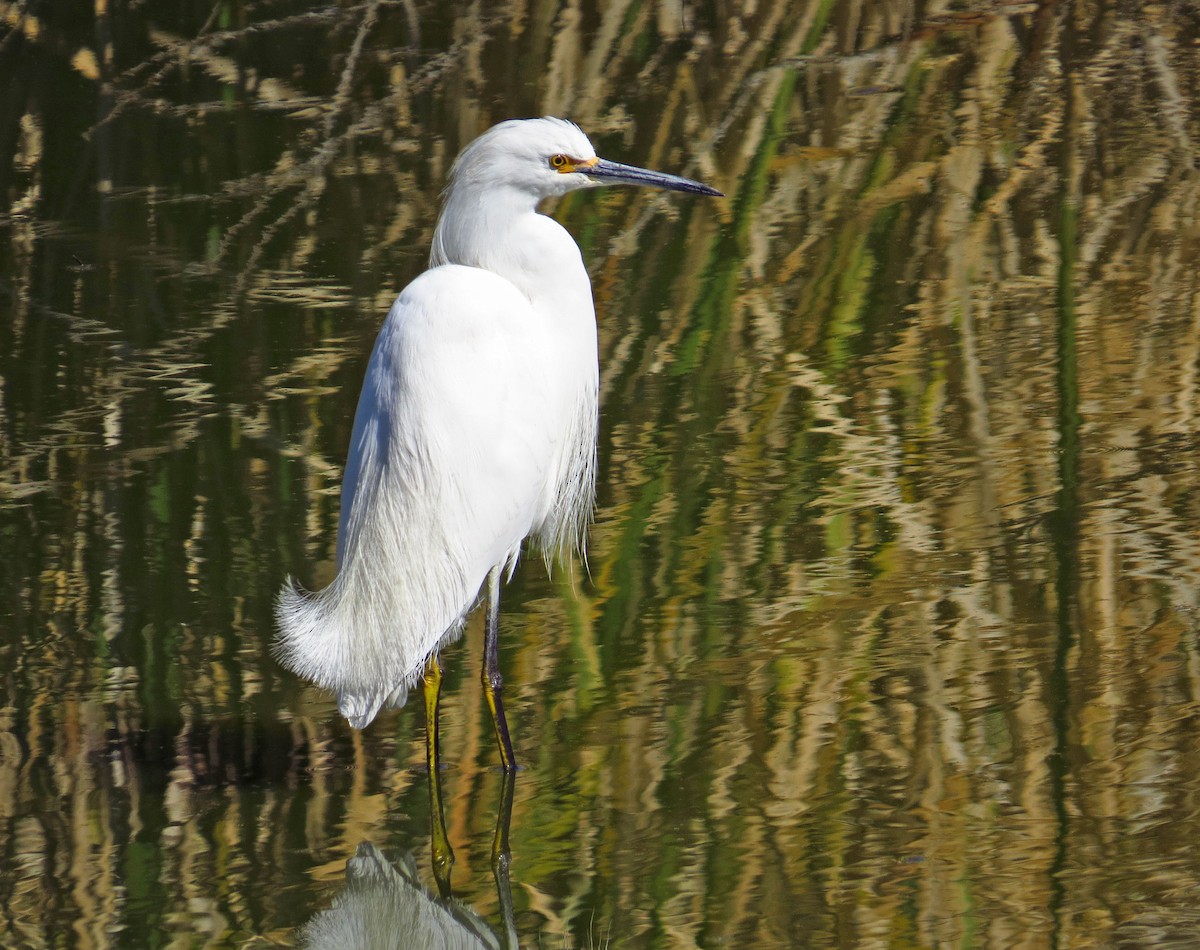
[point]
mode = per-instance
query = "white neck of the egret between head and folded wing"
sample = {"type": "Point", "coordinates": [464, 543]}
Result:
{"type": "Point", "coordinates": [501, 231]}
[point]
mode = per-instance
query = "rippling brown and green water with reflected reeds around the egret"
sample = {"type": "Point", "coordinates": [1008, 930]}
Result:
{"type": "Point", "coordinates": [889, 635]}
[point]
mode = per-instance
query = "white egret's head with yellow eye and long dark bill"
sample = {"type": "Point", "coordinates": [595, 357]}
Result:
{"type": "Point", "coordinates": [548, 158]}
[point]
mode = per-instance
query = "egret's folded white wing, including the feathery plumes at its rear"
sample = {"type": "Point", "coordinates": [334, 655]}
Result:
{"type": "Point", "coordinates": [453, 444]}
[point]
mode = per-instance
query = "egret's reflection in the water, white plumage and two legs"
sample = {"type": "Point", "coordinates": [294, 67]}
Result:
{"type": "Point", "coordinates": [386, 907]}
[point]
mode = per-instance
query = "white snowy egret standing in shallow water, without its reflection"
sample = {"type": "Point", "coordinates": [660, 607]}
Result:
{"type": "Point", "coordinates": [476, 429]}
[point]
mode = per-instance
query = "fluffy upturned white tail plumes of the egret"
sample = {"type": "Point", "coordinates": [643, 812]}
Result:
{"type": "Point", "coordinates": [322, 642]}
